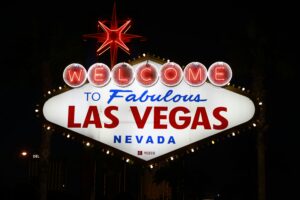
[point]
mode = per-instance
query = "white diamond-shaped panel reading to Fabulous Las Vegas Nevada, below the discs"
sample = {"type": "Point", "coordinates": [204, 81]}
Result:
{"type": "Point", "coordinates": [148, 122]}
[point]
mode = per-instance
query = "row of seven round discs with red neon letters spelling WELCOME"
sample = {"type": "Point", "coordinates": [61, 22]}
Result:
{"type": "Point", "coordinates": [170, 74]}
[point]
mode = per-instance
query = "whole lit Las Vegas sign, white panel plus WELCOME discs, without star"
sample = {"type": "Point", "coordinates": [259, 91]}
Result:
{"type": "Point", "coordinates": [148, 109]}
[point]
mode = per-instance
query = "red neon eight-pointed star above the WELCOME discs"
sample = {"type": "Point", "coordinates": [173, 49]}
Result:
{"type": "Point", "coordinates": [113, 37]}
